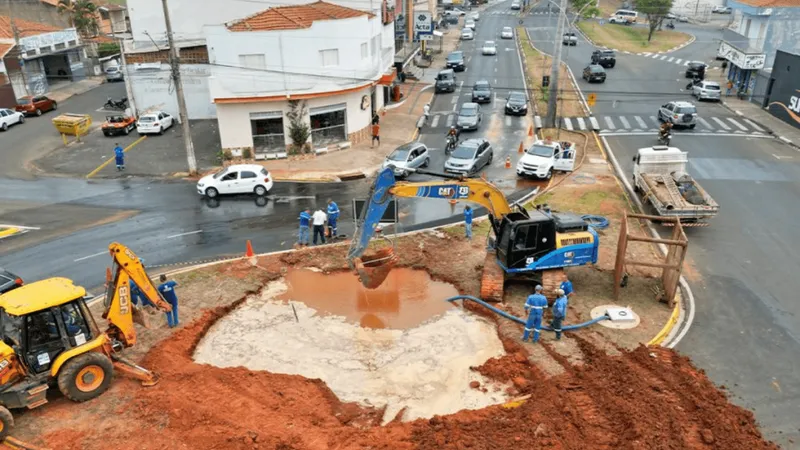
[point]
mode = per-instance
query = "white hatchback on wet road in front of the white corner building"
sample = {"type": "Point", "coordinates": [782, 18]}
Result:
{"type": "Point", "coordinates": [236, 179]}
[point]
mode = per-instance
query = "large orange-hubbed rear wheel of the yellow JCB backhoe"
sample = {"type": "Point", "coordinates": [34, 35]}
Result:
{"type": "Point", "coordinates": [86, 376]}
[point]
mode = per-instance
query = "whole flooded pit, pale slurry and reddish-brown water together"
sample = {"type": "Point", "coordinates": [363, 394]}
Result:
{"type": "Point", "coordinates": [424, 367]}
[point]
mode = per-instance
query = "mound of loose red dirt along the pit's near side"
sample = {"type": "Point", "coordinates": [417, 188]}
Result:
{"type": "Point", "coordinates": [645, 399]}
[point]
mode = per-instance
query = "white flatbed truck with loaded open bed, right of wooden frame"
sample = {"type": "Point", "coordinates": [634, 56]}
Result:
{"type": "Point", "coordinates": [661, 177]}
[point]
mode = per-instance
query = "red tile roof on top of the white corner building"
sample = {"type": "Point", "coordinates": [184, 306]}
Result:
{"type": "Point", "coordinates": [294, 17]}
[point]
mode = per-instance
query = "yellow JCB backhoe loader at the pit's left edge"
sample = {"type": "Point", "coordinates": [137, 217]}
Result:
{"type": "Point", "coordinates": [51, 338]}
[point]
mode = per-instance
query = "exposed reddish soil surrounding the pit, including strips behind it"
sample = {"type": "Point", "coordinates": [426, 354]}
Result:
{"type": "Point", "coordinates": [647, 398]}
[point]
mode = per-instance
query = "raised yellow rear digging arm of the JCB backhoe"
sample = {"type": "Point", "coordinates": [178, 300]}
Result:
{"type": "Point", "coordinates": [127, 267]}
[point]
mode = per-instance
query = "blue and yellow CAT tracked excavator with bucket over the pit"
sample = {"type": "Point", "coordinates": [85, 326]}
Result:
{"type": "Point", "coordinates": [533, 244]}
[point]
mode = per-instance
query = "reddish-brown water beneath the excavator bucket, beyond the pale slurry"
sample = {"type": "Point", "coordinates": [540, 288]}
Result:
{"type": "Point", "coordinates": [405, 300]}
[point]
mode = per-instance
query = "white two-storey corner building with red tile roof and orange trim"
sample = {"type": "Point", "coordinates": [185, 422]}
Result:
{"type": "Point", "coordinates": [329, 58]}
